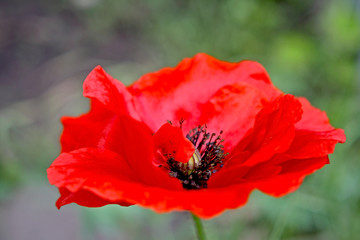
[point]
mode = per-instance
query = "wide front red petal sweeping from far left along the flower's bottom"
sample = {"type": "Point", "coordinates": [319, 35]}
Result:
{"type": "Point", "coordinates": [94, 178]}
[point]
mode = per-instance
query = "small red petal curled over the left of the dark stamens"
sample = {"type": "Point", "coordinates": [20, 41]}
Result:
{"type": "Point", "coordinates": [170, 142]}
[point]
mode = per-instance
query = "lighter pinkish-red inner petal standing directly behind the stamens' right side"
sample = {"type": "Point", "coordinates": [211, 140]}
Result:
{"type": "Point", "coordinates": [232, 109]}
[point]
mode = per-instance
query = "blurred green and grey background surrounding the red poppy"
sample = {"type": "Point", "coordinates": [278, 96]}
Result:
{"type": "Point", "coordinates": [310, 48]}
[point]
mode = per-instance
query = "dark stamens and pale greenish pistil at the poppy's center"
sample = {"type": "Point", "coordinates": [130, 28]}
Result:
{"type": "Point", "coordinates": [206, 160]}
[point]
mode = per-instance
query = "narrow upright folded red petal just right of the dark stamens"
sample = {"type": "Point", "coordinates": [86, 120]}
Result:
{"type": "Point", "coordinates": [273, 132]}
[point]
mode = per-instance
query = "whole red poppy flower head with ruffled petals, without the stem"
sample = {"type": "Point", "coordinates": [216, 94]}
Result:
{"type": "Point", "coordinates": [199, 137]}
